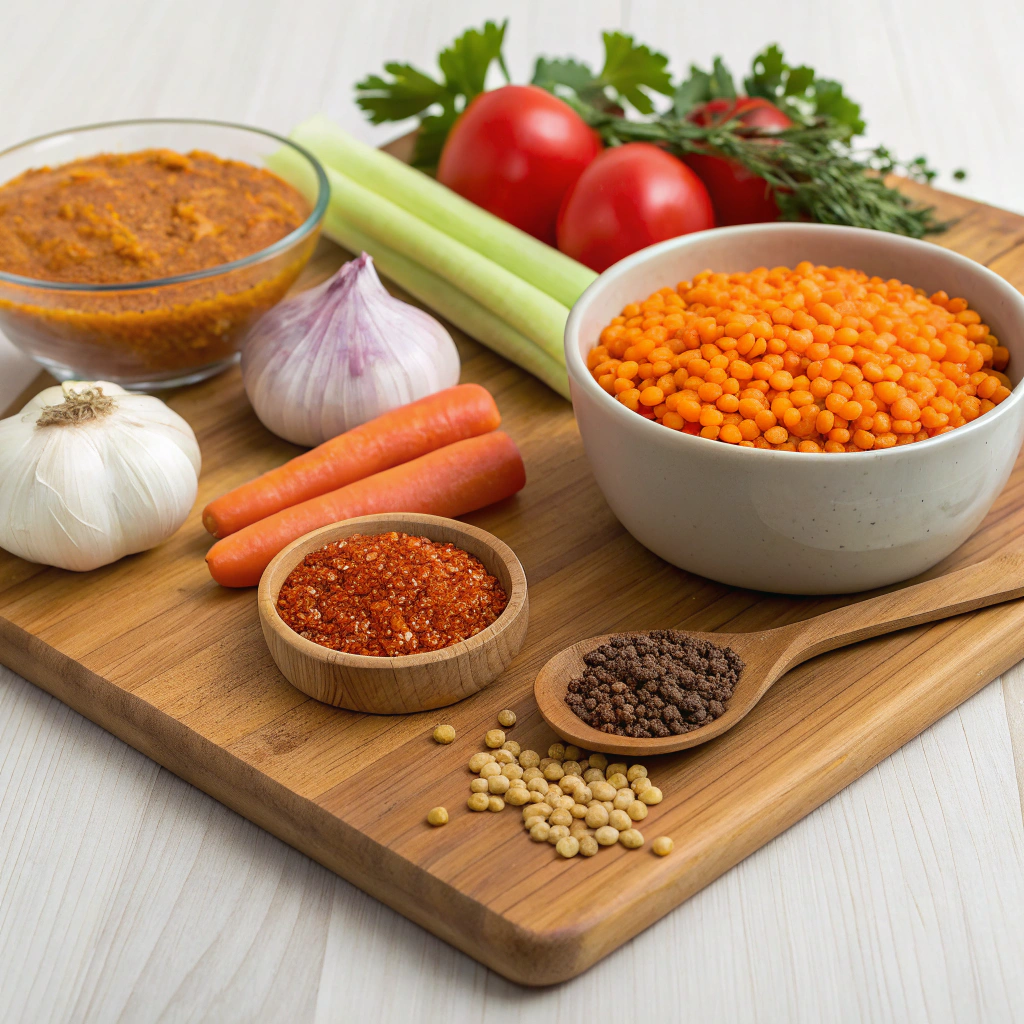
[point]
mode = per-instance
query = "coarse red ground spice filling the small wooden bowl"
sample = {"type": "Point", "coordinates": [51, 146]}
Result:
{"type": "Point", "coordinates": [390, 595]}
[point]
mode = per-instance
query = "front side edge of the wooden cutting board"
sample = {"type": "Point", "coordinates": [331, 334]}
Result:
{"type": "Point", "coordinates": [528, 957]}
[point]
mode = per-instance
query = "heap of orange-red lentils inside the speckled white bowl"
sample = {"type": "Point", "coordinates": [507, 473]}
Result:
{"type": "Point", "coordinates": [814, 359]}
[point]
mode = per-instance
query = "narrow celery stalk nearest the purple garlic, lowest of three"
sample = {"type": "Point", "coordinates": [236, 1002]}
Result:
{"type": "Point", "coordinates": [451, 304]}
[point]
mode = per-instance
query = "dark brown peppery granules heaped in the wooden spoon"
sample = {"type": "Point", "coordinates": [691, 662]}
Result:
{"type": "Point", "coordinates": [661, 684]}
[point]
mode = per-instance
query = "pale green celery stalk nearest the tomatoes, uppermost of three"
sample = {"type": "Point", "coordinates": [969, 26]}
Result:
{"type": "Point", "coordinates": [556, 274]}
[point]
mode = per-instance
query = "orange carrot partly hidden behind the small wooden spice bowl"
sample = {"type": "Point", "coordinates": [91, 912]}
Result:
{"type": "Point", "coordinates": [450, 482]}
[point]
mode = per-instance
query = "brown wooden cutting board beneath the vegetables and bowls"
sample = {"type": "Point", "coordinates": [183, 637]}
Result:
{"type": "Point", "coordinates": [153, 651]}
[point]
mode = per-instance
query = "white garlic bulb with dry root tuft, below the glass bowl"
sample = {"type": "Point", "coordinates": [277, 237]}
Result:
{"type": "Point", "coordinates": [91, 473]}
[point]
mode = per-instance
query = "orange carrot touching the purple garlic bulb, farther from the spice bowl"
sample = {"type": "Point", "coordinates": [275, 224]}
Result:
{"type": "Point", "coordinates": [405, 434]}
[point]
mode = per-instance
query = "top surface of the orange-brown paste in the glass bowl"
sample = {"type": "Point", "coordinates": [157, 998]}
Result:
{"type": "Point", "coordinates": [119, 219]}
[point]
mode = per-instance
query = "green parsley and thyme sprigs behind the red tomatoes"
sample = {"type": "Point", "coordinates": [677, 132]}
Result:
{"type": "Point", "coordinates": [816, 168]}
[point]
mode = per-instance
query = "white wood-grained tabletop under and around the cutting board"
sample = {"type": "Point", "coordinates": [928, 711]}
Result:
{"type": "Point", "coordinates": [127, 895]}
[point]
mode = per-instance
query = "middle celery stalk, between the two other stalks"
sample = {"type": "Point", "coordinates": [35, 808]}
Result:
{"type": "Point", "coordinates": [526, 309]}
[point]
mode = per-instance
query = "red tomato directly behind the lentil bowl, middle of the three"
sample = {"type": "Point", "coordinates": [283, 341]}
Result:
{"type": "Point", "coordinates": [631, 197]}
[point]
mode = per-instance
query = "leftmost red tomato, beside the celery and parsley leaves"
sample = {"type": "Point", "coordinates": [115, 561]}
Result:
{"type": "Point", "coordinates": [517, 152]}
